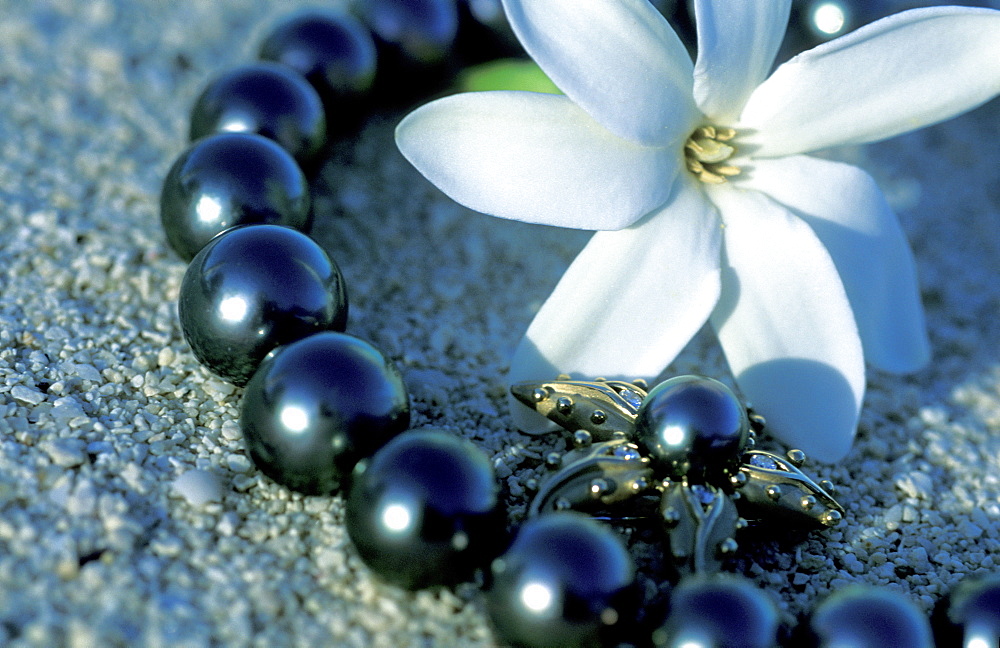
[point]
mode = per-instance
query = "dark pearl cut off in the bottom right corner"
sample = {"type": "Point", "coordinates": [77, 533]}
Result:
{"type": "Point", "coordinates": [970, 616]}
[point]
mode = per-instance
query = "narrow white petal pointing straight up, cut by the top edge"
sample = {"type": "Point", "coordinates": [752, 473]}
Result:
{"type": "Point", "coordinates": [737, 42]}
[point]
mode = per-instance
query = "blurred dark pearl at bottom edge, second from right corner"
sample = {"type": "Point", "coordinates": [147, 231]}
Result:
{"type": "Point", "coordinates": [862, 616]}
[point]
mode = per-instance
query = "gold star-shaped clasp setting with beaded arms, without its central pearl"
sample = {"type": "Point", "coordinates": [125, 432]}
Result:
{"type": "Point", "coordinates": [701, 520]}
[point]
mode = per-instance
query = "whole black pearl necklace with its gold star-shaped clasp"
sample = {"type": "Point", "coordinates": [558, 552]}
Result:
{"type": "Point", "coordinates": [265, 307]}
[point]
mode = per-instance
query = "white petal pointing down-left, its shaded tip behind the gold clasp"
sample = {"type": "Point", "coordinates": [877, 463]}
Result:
{"type": "Point", "coordinates": [630, 301]}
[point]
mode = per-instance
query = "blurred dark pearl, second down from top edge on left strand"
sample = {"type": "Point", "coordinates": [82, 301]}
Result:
{"type": "Point", "coordinates": [332, 50]}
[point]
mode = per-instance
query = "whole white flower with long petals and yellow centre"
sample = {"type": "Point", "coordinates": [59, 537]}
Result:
{"type": "Point", "coordinates": [797, 262]}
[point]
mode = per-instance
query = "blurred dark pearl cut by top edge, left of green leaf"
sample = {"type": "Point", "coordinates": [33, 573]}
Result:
{"type": "Point", "coordinates": [422, 31]}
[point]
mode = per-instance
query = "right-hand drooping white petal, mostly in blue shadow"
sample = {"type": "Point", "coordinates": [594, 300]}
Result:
{"type": "Point", "coordinates": [849, 214]}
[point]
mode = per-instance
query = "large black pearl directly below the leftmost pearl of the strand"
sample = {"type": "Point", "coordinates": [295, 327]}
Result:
{"type": "Point", "coordinates": [253, 288]}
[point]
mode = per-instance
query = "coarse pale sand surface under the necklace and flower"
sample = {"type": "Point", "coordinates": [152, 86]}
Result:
{"type": "Point", "coordinates": [129, 512]}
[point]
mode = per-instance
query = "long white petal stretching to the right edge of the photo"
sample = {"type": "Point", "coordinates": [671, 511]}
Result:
{"type": "Point", "coordinates": [904, 72]}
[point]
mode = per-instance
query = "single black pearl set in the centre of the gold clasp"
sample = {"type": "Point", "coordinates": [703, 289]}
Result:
{"type": "Point", "coordinates": [692, 427]}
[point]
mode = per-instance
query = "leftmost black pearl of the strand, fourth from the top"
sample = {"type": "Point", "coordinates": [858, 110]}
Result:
{"type": "Point", "coordinates": [227, 180]}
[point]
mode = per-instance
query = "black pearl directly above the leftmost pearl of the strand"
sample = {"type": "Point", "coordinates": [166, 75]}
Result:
{"type": "Point", "coordinates": [265, 98]}
